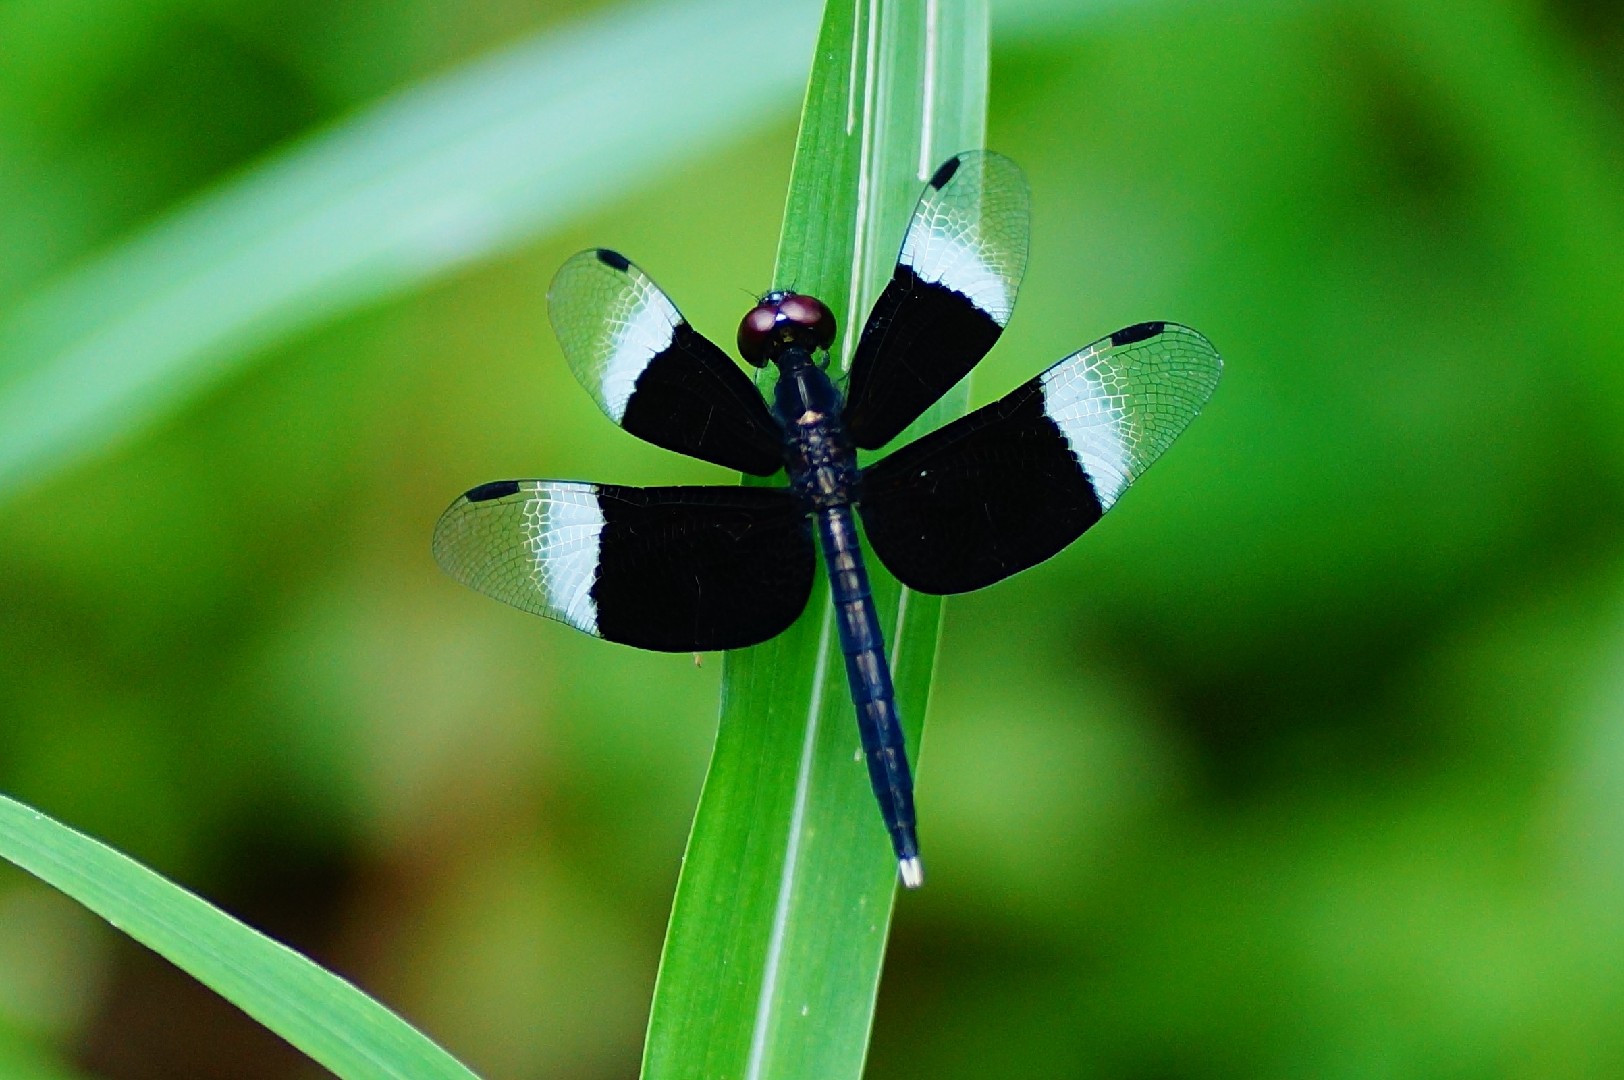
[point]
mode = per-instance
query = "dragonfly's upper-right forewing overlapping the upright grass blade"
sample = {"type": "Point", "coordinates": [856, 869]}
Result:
{"type": "Point", "coordinates": [948, 301]}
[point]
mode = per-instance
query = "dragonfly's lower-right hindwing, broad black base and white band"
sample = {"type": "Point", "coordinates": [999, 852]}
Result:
{"type": "Point", "coordinates": [1011, 485]}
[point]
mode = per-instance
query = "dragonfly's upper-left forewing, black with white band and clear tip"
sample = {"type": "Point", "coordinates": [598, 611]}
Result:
{"type": "Point", "coordinates": [652, 373]}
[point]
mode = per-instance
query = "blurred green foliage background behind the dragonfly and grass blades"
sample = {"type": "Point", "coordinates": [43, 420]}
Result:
{"type": "Point", "coordinates": [1308, 762]}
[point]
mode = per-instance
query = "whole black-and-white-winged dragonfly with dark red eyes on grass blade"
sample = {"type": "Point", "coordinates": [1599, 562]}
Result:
{"type": "Point", "coordinates": [987, 496]}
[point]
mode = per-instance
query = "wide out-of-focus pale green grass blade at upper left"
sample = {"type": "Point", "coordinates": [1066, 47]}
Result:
{"type": "Point", "coordinates": [449, 173]}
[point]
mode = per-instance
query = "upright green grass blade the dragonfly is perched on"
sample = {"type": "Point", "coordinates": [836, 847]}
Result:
{"type": "Point", "coordinates": [779, 931]}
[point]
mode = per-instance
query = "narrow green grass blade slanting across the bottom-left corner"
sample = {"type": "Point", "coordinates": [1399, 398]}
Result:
{"type": "Point", "coordinates": [314, 1009]}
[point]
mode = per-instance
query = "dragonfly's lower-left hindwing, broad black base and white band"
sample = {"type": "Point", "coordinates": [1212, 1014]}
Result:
{"type": "Point", "coordinates": [672, 569]}
